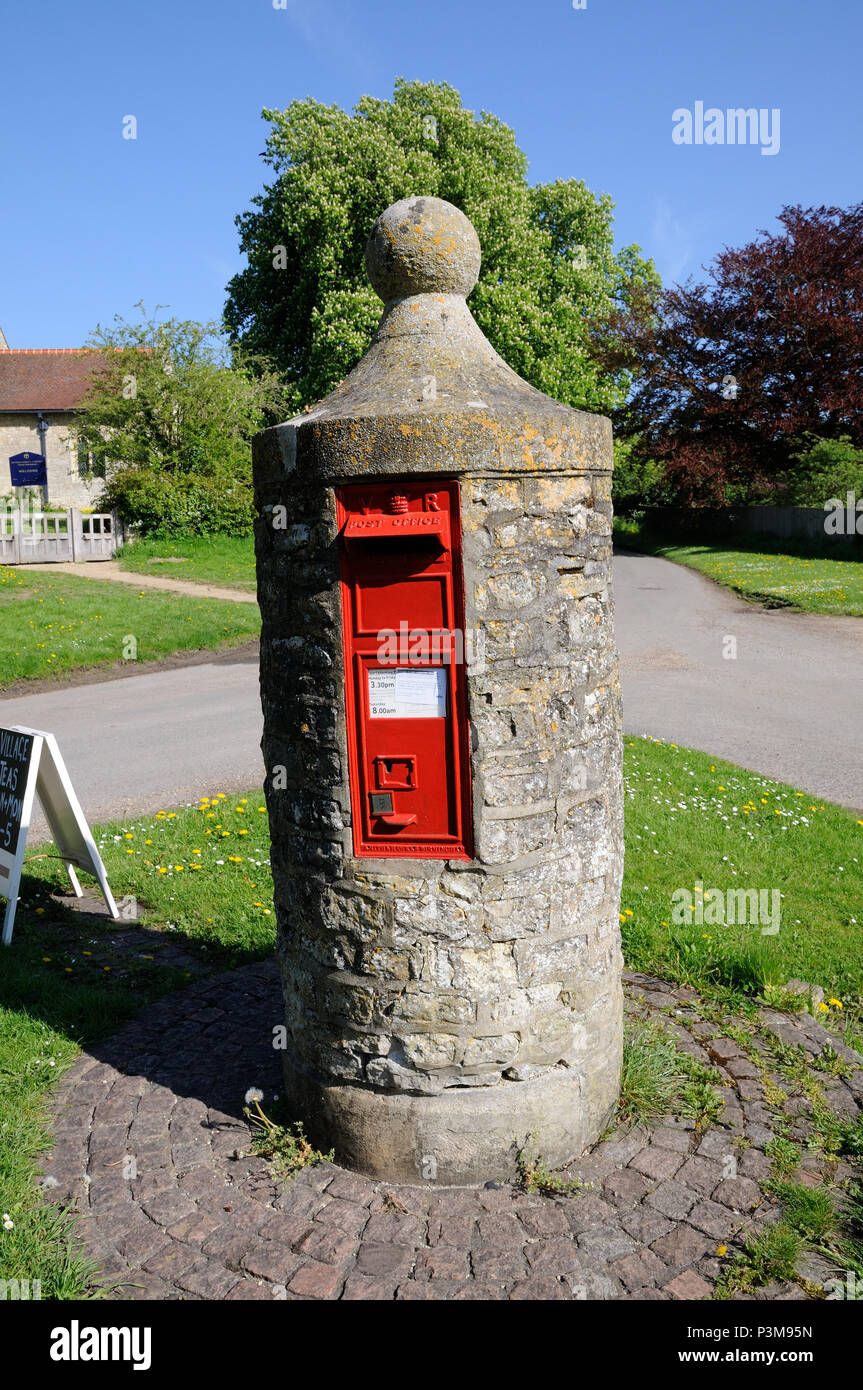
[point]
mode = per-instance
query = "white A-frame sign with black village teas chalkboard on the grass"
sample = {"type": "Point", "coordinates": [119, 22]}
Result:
{"type": "Point", "coordinates": [31, 767]}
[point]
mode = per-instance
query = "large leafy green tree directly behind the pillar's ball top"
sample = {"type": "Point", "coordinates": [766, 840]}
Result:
{"type": "Point", "coordinates": [550, 275]}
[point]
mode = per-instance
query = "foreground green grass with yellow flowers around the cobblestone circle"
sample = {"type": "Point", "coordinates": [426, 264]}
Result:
{"type": "Point", "coordinates": [204, 876]}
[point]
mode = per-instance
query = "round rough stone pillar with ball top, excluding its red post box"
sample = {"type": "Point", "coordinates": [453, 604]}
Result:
{"type": "Point", "coordinates": [444, 1015]}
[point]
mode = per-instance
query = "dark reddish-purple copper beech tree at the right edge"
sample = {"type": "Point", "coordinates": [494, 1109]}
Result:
{"type": "Point", "coordinates": [736, 373]}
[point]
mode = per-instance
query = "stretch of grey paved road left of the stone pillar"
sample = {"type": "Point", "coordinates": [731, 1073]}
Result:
{"type": "Point", "coordinates": [152, 742]}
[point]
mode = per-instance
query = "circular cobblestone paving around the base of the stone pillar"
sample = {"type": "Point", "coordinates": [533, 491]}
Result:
{"type": "Point", "coordinates": [206, 1221]}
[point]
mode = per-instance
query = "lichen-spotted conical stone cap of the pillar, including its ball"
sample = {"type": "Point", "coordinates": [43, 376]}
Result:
{"type": "Point", "coordinates": [431, 394]}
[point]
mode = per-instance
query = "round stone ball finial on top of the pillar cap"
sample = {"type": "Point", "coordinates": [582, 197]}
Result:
{"type": "Point", "coordinates": [423, 245]}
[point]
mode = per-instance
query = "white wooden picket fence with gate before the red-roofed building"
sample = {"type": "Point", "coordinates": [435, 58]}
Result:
{"type": "Point", "coordinates": [30, 537]}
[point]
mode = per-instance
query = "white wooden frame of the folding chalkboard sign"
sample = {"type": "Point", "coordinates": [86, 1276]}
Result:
{"type": "Point", "coordinates": [49, 780]}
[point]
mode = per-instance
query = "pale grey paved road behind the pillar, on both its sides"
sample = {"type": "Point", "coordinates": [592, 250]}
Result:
{"type": "Point", "coordinates": [790, 705]}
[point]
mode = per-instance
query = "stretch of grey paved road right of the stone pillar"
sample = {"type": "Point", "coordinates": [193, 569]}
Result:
{"type": "Point", "coordinates": [790, 705]}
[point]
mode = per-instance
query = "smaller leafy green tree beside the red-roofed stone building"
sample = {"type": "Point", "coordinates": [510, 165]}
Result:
{"type": "Point", "coordinates": [169, 419]}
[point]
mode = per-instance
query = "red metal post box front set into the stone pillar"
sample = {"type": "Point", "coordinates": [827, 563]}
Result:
{"type": "Point", "coordinates": [404, 623]}
